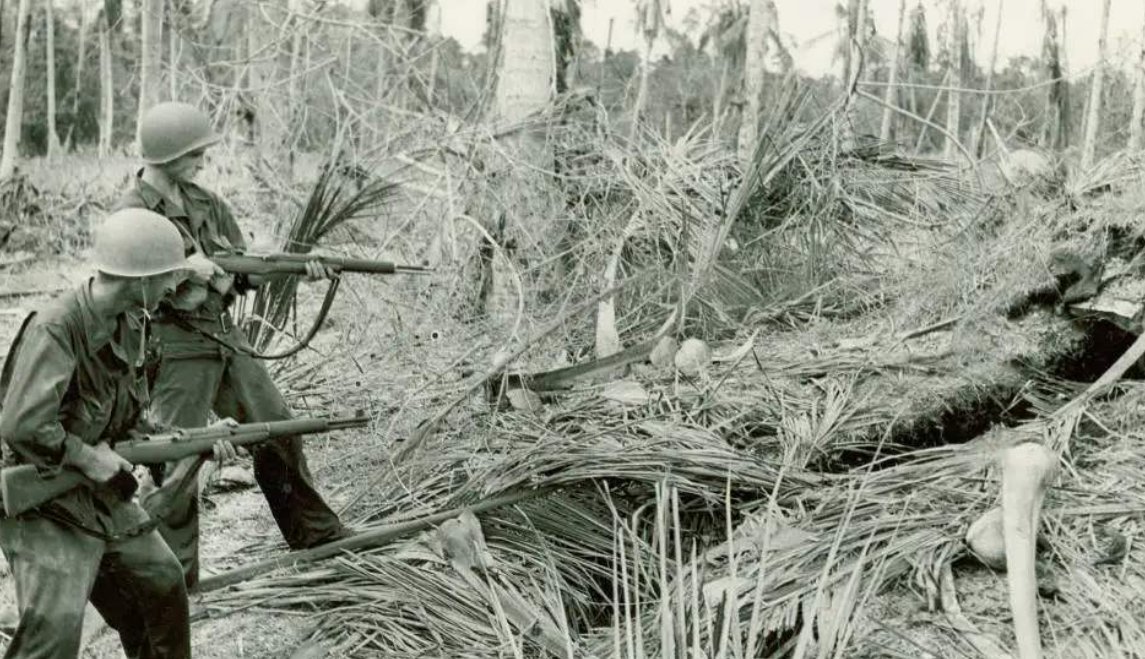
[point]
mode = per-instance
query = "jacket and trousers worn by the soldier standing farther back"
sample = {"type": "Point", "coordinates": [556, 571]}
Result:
{"type": "Point", "coordinates": [196, 376]}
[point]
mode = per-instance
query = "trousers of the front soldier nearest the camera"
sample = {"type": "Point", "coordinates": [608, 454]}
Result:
{"type": "Point", "coordinates": [136, 584]}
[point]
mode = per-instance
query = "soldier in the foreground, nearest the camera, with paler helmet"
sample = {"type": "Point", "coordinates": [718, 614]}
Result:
{"type": "Point", "coordinates": [74, 382]}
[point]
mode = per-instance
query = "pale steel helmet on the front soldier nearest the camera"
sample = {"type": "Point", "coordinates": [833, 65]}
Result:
{"type": "Point", "coordinates": [138, 243]}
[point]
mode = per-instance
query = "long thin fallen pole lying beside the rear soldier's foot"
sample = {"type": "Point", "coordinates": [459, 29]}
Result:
{"type": "Point", "coordinates": [369, 539]}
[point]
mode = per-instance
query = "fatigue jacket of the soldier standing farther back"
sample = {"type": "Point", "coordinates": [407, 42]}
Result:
{"type": "Point", "coordinates": [208, 227]}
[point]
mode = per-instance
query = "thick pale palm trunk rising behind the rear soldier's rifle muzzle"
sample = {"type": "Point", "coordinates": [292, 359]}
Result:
{"type": "Point", "coordinates": [524, 88]}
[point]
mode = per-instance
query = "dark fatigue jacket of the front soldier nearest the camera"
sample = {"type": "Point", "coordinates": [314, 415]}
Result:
{"type": "Point", "coordinates": [74, 377]}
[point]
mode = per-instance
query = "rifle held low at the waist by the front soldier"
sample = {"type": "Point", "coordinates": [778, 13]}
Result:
{"type": "Point", "coordinates": [23, 488]}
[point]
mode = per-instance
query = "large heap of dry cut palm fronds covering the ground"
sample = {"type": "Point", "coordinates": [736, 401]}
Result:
{"type": "Point", "coordinates": [707, 515]}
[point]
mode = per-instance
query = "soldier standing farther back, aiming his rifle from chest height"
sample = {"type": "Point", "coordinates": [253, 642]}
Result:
{"type": "Point", "coordinates": [204, 363]}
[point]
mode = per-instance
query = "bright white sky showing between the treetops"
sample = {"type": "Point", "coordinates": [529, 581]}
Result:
{"type": "Point", "coordinates": [808, 26]}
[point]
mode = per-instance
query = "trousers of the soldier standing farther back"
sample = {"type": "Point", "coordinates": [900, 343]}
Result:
{"type": "Point", "coordinates": [195, 377]}
